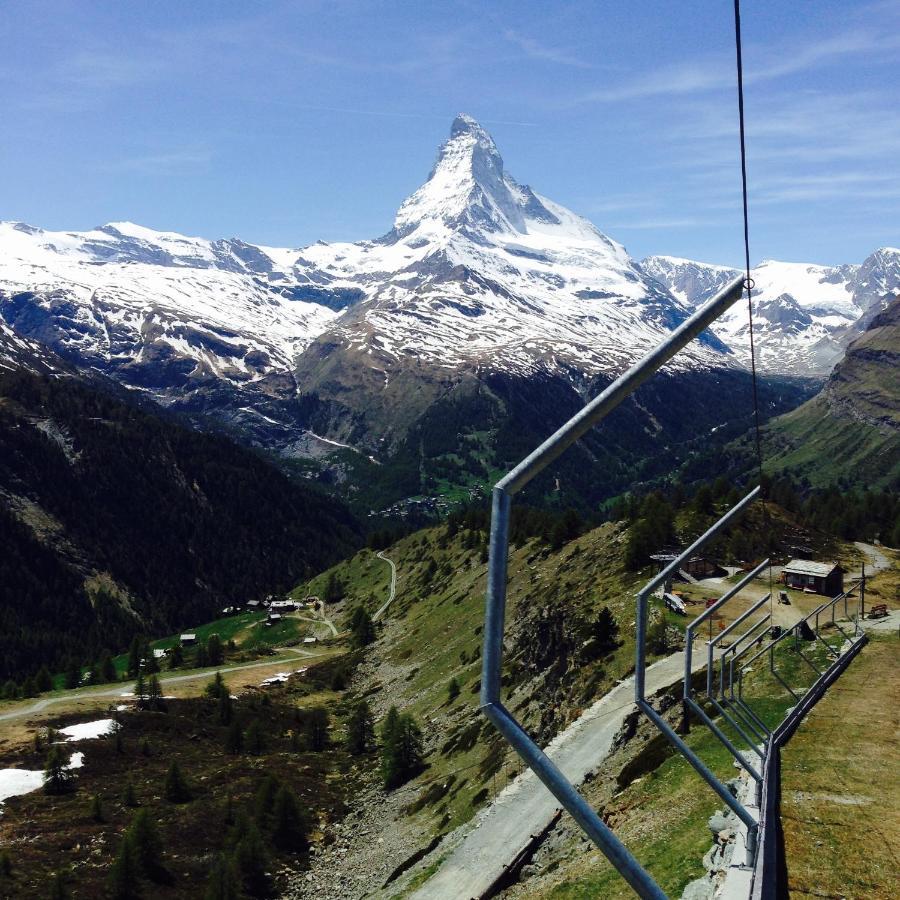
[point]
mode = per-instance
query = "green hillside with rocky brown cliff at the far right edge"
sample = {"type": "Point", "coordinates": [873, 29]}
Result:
{"type": "Point", "coordinates": [850, 432]}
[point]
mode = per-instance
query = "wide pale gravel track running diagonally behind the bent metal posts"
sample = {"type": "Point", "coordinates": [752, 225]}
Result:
{"type": "Point", "coordinates": [499, 832]}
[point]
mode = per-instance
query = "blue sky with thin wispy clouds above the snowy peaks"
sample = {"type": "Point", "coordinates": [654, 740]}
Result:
{"type": "Point", "coordinates": [286, 123]}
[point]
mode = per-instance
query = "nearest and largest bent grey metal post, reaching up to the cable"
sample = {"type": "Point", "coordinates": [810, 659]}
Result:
{"type": "Point", "coordinates": [495, 612]}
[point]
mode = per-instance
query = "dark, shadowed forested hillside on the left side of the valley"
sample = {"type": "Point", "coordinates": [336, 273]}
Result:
{"type": "Point", "coordinates": [115, 521]}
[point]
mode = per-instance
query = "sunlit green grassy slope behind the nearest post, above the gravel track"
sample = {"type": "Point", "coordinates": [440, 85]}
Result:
{"type": "Point", "coordinates": [433, 633]}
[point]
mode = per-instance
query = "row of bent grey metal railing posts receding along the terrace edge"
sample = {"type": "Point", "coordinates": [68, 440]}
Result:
{"type": "Point", "coordinates": [729, 703]}
